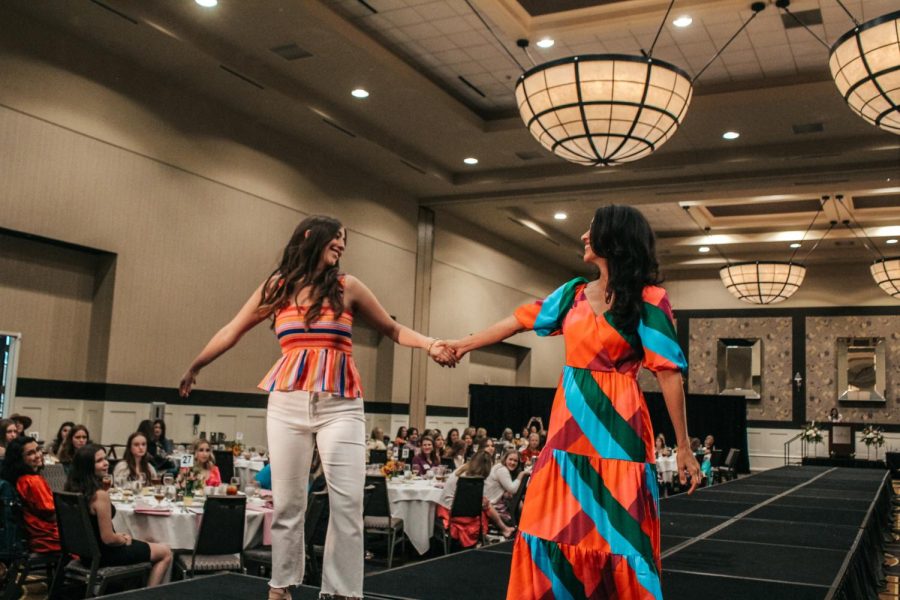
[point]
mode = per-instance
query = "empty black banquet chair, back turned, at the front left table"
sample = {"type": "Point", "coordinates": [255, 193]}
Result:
{"type": "Point", "coordinates": [220, 542]}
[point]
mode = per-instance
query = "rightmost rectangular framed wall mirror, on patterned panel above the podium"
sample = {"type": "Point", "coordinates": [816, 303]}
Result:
{"type": "Point", "coordinates": [861, 369]}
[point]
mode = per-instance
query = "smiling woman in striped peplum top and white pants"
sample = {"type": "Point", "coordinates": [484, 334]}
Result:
{"type": "Point", "coordinates": [315, 397]}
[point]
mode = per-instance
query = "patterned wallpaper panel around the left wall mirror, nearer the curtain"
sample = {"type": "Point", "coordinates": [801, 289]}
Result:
{"type": "Point", "coordinates": [775, 333]}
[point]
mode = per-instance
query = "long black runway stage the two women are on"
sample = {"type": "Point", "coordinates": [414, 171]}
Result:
{"type": "Point", "coordinates": [801, 533]}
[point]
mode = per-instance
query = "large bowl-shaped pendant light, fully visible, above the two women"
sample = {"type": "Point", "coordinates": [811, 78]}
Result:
{"type": "Point", "coordinates": [608, 109]}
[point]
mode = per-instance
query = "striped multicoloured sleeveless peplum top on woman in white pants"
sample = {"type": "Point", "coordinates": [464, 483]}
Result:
{"type": "Point", "coordinates": [318, 358]}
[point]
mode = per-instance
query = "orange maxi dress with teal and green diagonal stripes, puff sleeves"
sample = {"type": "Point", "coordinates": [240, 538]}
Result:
{"type": "Point", "coordinates": [590, 524]}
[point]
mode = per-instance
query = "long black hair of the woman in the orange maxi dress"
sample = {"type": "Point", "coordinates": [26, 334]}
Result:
{"type": "Point", "coordinates": [622, 235]}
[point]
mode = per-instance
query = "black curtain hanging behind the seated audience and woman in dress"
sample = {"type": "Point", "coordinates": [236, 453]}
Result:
{"type": "Point", "coordinates": [496, 407]}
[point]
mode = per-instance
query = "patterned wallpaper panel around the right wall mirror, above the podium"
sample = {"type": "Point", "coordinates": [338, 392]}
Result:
{"type": "Point", "coordinates": [821, 366]}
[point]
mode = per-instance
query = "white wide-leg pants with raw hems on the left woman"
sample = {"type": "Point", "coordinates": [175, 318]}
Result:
{"type": "Point", "coordinates": [296, 422]}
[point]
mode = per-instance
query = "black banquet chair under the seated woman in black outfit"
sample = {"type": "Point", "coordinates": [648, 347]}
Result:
{"type": "Point", "coordinates": [76, 536]}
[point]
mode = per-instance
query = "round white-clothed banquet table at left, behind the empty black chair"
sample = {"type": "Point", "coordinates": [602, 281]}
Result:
{"type": "Point", "coordinates": [179, 529]}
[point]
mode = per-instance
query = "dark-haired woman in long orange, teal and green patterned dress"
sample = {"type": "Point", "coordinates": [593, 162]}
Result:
{"type": "Point", "coordinates": [590, 524]}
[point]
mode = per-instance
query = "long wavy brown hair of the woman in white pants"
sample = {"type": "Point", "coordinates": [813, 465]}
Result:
{"type": "Point", "coordinates": [297, 269]}
